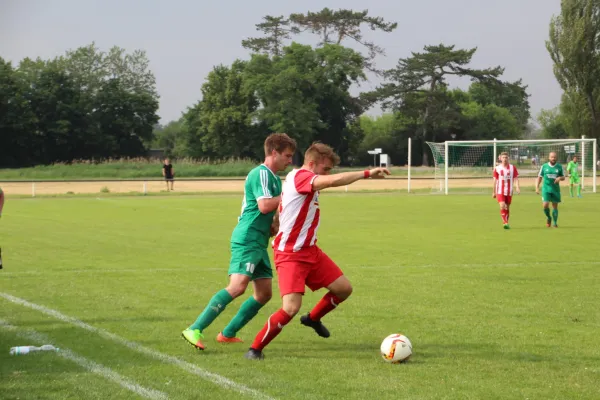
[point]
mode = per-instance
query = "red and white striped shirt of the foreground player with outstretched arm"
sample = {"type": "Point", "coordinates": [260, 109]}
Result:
{"type": "Point", "coordinates": [298, 212]}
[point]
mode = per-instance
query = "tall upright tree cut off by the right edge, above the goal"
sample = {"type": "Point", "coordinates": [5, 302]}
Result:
{"type": "Point", "coordinates": [574, 45]}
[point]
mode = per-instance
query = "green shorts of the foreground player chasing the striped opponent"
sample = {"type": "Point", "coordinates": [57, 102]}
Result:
{"type": "Point", "coordinates": [250, 261]}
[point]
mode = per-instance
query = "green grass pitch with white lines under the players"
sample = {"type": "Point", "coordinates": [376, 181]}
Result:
{"type": "Point", "coordinates": [492, 314]}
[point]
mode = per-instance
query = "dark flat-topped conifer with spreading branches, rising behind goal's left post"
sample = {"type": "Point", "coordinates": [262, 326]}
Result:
{"type": "Point", "coordinates": [424, 75]}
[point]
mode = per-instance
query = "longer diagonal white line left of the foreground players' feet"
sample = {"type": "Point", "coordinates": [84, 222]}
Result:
{"type": "Point", "coordinates": [216, 379]}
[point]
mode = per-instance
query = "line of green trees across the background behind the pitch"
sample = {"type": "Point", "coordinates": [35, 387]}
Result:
{"type": "Point", "coordinates": [89, 104]}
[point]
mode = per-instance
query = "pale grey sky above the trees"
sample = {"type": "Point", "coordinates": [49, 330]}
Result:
{"type": "Point", "coordinates": [185, 39]}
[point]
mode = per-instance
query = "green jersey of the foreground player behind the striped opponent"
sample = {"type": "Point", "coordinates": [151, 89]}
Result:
{"type": "Point", "coordinates": [254, 227]}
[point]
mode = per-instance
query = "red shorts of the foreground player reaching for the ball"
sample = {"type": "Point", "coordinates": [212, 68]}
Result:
{"type": "Point", "coordinates": [307, 267]}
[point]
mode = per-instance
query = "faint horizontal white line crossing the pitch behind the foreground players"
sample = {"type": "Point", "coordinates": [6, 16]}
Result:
{"type": "Point", "coordinates": [362, 266]}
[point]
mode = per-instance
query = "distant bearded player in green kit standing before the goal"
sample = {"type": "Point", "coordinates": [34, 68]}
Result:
{"type": "Point", "coordinates": [550, 174]}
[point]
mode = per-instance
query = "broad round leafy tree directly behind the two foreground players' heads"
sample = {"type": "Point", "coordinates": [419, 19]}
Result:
{"type": "Point", "coordinates": [305, 93]}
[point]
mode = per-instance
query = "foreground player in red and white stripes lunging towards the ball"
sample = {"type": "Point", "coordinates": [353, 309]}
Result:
{"type": "Point", "coordinates": [298, 260]}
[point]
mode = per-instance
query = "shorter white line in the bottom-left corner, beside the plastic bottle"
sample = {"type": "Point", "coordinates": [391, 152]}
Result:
{"type": "Point", "coordinates": [91, 366]}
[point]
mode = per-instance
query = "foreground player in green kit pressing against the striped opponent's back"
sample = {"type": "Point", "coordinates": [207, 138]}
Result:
{"type": "Point", "coordinates": [249, 241]}
